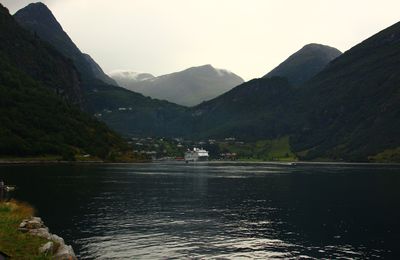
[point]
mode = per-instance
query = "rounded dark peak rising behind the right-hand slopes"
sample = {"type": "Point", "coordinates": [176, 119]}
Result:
{"type": "Point", "coordinates": [305, 63]}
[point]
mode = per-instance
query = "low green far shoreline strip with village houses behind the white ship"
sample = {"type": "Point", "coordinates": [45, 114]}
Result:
{"type": "Point", "coordinates": [160, 149]}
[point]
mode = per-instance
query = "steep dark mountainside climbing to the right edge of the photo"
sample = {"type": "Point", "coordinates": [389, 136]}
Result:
{"type": "Point", "coordinates": [354, 109]}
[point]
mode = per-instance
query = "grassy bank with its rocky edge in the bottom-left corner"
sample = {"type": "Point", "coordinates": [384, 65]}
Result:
{"type": "Point", "coordinates": [23, 236]}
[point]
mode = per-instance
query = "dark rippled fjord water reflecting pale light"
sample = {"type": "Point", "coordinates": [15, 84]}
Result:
{"type": "Point", "coordinates": [216, 209]}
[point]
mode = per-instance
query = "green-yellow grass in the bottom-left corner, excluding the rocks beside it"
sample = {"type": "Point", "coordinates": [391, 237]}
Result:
{"type": "Point", "coordinates": [13, 242]}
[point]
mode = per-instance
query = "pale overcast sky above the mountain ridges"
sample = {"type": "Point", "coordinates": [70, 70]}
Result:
{"type": "Point", "coordinates": [247, 37]}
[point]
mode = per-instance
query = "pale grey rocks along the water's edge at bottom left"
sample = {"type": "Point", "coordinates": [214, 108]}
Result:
{"type": "Point", "coordinates": [55, 247]}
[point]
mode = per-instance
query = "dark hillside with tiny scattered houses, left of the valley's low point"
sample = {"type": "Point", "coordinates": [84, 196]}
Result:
{"type": "Point", "coordinates": [132, 114]}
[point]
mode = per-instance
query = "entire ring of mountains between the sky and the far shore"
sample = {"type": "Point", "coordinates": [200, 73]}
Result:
{"type": "Point", "coordinates": [319, 104]}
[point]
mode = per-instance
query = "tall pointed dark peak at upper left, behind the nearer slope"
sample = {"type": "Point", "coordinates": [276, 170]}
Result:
{"type": "Point", "coordinates": [37, 18]}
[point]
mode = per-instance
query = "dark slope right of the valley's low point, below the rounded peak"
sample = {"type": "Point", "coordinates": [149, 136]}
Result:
{"type": "Point", "coordinates": [250, 111]}
